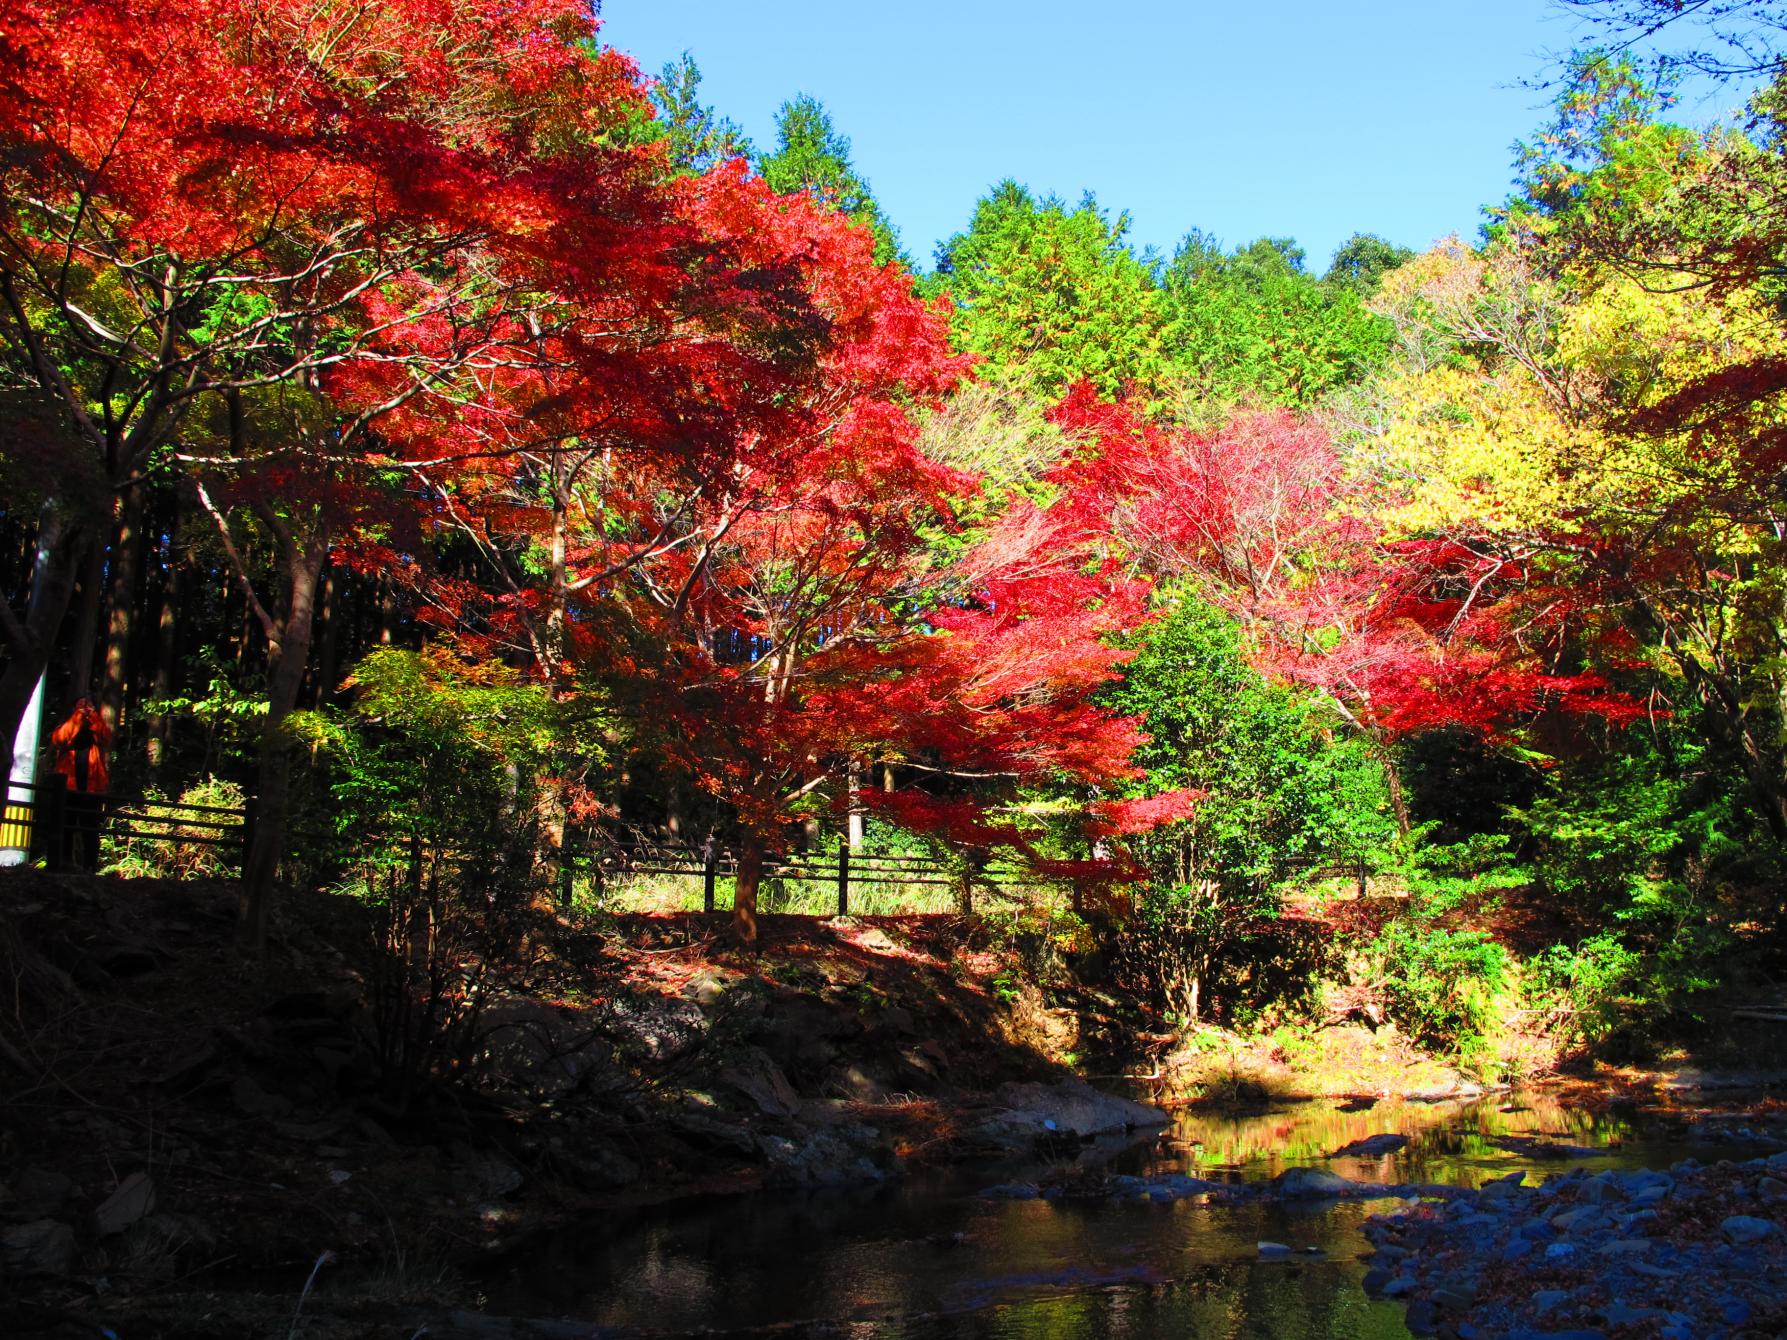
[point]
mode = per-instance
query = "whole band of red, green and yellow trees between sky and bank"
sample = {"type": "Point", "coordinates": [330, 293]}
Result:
{"type": "Point", "coordinates": [474, 451]}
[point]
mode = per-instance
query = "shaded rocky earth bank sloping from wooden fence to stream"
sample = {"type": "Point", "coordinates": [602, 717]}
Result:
{"type": "Point", "coordinates": [187, 1132]}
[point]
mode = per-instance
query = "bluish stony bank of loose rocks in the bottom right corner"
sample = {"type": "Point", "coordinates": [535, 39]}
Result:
{"type": "Point", "coordinates": [1695, 1253]}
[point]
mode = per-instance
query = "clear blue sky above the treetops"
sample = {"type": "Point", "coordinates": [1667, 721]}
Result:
{"type": "Point", "coordinates": [1307, 119]}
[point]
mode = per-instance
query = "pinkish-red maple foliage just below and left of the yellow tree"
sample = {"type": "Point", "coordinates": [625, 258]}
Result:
{"type": "Point", "coordinates": [1402, 637]}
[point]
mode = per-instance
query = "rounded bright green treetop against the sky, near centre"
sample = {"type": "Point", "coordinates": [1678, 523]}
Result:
{"type": "Point", "coordinates": [1052, 296]}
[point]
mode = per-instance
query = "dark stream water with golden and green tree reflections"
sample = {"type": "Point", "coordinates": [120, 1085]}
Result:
{"type": "Point", "coordinates": [930, 1260]}
